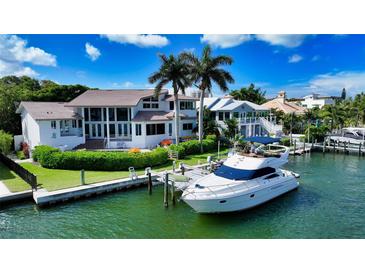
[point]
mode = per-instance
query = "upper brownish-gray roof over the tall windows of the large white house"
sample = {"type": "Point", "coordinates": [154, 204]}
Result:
{"type": "Point", "coordinates": [111, 98]}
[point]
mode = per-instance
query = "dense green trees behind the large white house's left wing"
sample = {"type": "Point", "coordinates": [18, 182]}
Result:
{"type": "Point", "coordinates": [14, 89]}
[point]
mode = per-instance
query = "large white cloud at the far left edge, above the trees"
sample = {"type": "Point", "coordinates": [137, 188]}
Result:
{"type": "Point", "coordinates": [14, 52]}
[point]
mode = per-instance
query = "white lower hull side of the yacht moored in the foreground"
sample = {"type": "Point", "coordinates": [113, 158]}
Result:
{"type": "Point", "coordinates": [242, 202]}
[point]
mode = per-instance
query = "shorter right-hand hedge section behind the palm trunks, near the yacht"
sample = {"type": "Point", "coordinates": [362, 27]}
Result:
{"type": "Point", "coordinates": [193, 146]}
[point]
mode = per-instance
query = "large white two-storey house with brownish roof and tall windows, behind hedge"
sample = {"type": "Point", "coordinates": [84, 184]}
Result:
{"type": "Point", "coordinates": [107, 119]}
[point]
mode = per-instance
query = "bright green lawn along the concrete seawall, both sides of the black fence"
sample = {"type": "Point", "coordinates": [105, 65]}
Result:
{"type": "Point", "coordinates": [54, 179]}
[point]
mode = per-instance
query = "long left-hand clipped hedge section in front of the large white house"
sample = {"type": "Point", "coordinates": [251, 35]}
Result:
{"type": "Point", "coordinates": [50, 157]}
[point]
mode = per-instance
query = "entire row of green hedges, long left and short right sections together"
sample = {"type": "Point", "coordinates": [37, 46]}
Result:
{"type": "Point", "coordinates": [49, 157]}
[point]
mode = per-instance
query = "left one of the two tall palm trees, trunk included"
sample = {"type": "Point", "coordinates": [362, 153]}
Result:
{"type": "Point", "coordinates": [175, 70]}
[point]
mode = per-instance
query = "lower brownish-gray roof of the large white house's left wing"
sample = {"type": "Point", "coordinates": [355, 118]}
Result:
{"type": "Point", "coordinates": [48, 111]}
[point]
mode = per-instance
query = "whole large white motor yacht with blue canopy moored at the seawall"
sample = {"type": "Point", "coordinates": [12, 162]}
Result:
{"type": "Point", "coordinates": [243, 181]}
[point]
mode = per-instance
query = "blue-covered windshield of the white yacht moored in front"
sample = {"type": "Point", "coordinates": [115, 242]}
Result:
{"type": "Point", "coordinates": [242, 174]}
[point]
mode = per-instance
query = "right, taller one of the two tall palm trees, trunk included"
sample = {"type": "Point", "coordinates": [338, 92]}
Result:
{"type": "Point", "coordinates": [204, 71]}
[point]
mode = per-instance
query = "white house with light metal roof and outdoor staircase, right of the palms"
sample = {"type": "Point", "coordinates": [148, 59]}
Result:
{"type": "Point", "coordinates": [253, 119]}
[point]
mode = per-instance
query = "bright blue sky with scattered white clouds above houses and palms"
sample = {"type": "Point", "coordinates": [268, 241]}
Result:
{"type": "Point", "coordinates": [299, 64]}
